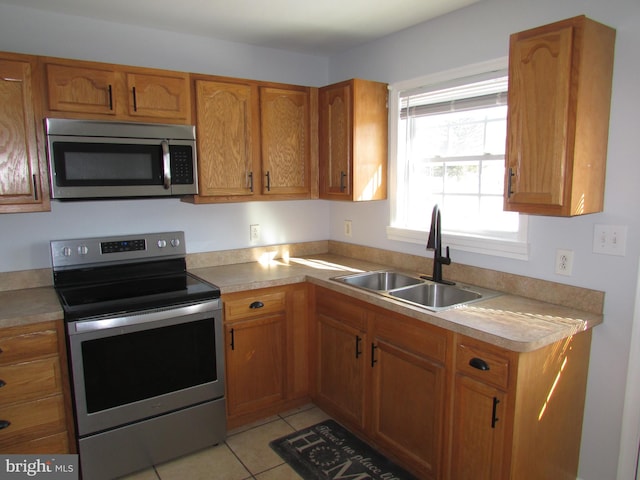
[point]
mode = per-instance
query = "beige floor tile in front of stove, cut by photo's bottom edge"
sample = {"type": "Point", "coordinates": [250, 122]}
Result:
{"type": "Point", "coordinates": [216, 462]}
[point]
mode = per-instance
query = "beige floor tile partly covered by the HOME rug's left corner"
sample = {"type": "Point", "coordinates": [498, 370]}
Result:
{"type": "Point", "coordinates": [252, 446]}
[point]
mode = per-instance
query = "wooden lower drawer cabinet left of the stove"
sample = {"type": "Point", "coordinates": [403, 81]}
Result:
{"type": "Point", "coordinates": [35, 415]}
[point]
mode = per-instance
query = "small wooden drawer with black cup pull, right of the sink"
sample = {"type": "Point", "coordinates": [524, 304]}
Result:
{"type": "Point", "coordinates": [484, 363]}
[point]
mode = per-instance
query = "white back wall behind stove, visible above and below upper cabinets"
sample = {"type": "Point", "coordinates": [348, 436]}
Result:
{"type": "Point", "coordinates": [25, 237]}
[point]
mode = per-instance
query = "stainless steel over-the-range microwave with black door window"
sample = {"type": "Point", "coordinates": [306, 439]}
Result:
{"type": "Point", "coordinates": [95, 159]}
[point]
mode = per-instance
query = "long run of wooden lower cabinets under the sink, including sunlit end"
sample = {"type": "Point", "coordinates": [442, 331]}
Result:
{"type": "Point", "coordinates": [447, 406]}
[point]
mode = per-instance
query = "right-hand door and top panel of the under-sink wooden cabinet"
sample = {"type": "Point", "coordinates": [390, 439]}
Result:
{"type": "Point", "coordinates": [409, 388]}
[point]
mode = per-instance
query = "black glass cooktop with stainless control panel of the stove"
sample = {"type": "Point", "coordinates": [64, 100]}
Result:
{"type": "Point", "coordinates": [117, 275]}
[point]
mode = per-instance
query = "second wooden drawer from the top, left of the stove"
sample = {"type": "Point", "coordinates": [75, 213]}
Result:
{"type": "Point", "coordinates": [30, 380]}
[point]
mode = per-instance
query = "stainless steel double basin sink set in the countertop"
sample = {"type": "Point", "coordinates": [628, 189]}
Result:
{"type": "Point", "coordinates": [416, 290]}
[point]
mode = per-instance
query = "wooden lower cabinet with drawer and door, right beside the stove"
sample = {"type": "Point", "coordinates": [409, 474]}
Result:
{"type": "Point", "coordinates": [266, 352]}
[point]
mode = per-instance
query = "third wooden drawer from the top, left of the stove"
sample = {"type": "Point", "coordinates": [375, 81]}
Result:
{"type": "Point", "coordinates": [31, 420]}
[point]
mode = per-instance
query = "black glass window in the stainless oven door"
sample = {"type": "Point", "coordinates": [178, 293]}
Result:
{"type": "Point", "coordinates": [136, 366]}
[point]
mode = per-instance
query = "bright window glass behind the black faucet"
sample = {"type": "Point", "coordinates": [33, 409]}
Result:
{"type": "Point", "coordinates": [452, 154]}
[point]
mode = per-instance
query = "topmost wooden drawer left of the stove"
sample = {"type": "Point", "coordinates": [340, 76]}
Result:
{"type": "Point", "coordinates": [18, 345]}
